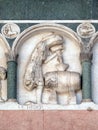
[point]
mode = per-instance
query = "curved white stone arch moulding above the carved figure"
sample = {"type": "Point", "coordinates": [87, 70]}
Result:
{"type": "Point", "coordinates": [40, 27]}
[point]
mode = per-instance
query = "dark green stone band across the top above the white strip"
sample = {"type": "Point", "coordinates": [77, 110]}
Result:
{"type": "Point", "coordinates": [48, 9]}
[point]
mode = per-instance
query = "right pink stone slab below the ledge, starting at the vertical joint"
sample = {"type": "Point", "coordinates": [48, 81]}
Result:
{"type": "Point", "coordinates": [70, 120]}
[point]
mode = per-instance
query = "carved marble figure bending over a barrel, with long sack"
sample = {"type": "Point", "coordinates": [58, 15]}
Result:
{"type": "Point", "coordinates": [47, 72]}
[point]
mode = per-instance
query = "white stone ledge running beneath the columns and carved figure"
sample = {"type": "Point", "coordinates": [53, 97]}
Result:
{"type": "Point", "coordinates": [15, 106]}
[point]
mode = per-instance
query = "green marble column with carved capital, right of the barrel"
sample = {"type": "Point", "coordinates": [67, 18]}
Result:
{"type": "Point", "coordinates": [86, 76]}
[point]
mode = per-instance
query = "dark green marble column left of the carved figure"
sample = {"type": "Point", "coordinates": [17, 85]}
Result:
{"type": "Point", "coordinates": [11, 79]}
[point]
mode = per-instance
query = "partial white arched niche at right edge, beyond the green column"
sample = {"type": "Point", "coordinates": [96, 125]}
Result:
{"type": "Point", "coordinates": [94, 69]}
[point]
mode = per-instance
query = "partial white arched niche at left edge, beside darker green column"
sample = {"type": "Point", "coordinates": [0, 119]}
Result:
{"type": "Point", "coordinates": [4, 50]}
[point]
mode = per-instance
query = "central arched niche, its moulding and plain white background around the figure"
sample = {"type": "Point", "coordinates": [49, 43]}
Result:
{"type": "Point", "coordinates": [27, 41]}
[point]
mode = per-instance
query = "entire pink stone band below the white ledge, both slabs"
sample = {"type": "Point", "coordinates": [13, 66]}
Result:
{"type": "Point", "coordinates": [48, 120]}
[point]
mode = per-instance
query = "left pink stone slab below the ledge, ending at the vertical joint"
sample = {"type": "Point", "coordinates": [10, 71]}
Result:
{"type": "Point", "coordinates": [21, 120]}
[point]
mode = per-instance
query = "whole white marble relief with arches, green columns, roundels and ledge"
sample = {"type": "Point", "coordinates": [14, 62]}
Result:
{"type": "Point", "coordinates": [49, 66]}
